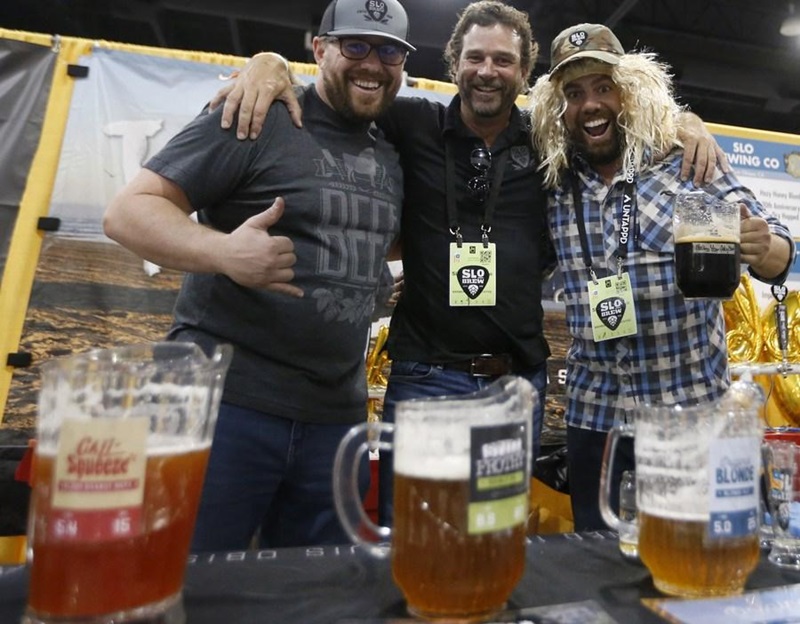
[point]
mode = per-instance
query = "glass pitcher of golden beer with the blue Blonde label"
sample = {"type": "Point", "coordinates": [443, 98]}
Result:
{"type": "Point", "coordinates": [697, 494]}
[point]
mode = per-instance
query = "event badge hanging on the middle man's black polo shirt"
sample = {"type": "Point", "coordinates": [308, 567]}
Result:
{"type": "Point", "coordinates": [473, 281]}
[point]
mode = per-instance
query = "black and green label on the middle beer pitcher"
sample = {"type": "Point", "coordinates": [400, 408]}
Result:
{"type": "Point", "coordinates": [499, 477]}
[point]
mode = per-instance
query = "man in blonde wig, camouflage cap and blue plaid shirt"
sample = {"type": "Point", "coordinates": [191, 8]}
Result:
{"type": "Point", "coordinates": [604, 123]}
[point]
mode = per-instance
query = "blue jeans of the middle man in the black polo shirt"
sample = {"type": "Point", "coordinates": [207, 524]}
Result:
{"type": "Point", "coordinates": [413, 380]}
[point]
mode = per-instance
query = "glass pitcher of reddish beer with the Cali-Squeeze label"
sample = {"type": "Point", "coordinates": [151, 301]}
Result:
{"type": "Point", "coordinates": [123, 438]}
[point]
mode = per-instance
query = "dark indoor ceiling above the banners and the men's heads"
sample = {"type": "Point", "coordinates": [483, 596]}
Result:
{"type": "Point", "coordinates": [731, 64]}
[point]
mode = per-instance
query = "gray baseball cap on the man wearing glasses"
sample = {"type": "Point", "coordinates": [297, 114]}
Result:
{"type": "Point", "coordinates": [380, 18]}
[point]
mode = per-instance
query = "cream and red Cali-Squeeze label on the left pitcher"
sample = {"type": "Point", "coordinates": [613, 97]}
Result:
{"type": "Point", "coordinates": [98, 484]}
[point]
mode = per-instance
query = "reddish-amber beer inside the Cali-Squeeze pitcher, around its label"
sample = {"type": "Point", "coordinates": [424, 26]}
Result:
{"type": "Point", "coordinates": [125, 573]}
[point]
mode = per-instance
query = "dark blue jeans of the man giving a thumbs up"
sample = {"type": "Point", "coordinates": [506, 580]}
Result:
{"type": "Point", "coordinates": [271, 477]}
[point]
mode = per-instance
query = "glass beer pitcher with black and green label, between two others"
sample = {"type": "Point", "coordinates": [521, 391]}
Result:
{"type": "Point", "coordinates": [462, 470]}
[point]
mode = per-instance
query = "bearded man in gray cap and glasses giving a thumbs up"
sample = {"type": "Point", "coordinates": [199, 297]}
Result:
{"type": "Point", "coordinates": [291, 286]}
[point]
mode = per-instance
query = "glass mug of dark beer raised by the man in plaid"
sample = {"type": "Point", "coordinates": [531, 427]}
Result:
{"type": "Point", "coordinates": [707, 250]}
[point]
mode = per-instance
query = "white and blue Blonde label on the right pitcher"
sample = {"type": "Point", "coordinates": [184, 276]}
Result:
{"type": "Point", "coordinates": [733, 487]}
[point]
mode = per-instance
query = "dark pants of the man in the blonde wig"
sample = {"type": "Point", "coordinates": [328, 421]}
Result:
{"type": "Point", "coordinates": [584, 459]}
